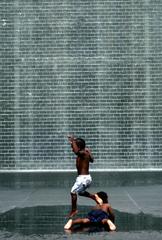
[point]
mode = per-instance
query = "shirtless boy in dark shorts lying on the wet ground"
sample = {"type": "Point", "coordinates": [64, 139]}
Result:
{"type": "Point", "coordinates": [100, 214]}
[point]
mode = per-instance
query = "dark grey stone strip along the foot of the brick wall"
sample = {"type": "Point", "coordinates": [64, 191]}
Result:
{"type": "Point", "coordinates": [62, 179]}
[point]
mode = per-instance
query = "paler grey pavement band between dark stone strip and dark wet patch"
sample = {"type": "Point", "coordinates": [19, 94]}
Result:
{"type": "Point", "coordinates": [131, 199]}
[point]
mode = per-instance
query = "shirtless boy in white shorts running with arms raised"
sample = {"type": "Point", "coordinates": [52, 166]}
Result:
{"type": "Point", "coordinates": [83, 181]}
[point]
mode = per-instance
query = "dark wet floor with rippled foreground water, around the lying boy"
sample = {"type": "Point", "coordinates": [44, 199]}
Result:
{"type": "Point", "coordinates": [47, 222]}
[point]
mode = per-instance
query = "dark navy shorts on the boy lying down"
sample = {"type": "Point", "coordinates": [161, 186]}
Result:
{"type": "Point", "coordinates": [96, 216]}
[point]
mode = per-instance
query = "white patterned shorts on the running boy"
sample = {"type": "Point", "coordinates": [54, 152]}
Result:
{"type": "Point", "coordinates": [81, 184]}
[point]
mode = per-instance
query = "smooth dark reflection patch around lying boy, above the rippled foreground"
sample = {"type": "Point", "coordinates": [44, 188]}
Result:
{"type": "Point", "coordinates": [51, 219]}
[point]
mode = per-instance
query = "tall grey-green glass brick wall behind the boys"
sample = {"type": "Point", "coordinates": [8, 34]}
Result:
{"type": "Point", "coordinates": [92, 68]}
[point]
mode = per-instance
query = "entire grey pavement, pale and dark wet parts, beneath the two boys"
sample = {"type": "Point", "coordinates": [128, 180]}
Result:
{"type": "Point", "coordinates": [40, 213]}
